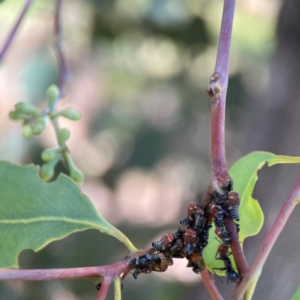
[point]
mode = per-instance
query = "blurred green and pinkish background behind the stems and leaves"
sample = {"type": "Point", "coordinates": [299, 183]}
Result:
{"type": "Point", "coordinates": [139, 68]}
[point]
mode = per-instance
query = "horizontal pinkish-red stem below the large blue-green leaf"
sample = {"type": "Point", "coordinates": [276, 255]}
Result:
{"type": "Point", "coordinates": [109, 271]}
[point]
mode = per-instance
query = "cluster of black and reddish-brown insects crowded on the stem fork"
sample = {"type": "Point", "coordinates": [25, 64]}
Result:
{"type": "Point", "coordinates": [190, 242]}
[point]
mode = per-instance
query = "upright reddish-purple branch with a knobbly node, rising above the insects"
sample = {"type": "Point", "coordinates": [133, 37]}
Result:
{"type": "Point", "coordinates": [221, 182]}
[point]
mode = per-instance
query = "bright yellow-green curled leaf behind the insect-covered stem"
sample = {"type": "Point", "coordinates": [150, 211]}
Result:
{"type": "Point", "coordinates": [244, 175]}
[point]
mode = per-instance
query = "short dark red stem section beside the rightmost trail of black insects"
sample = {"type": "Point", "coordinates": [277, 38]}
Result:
{"type": "Point", "coordinates": [235, 246]}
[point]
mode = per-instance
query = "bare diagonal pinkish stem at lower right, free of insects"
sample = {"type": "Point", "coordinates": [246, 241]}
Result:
{"type": "Point", "coordinates": [279, 223]}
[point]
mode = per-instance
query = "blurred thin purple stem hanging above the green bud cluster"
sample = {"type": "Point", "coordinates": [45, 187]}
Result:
{"type": "Point", "coordinates": [63, 71]}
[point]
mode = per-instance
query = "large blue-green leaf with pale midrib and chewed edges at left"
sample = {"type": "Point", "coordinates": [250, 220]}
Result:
{"type": "Point", "coordinates": [34, 213]}
